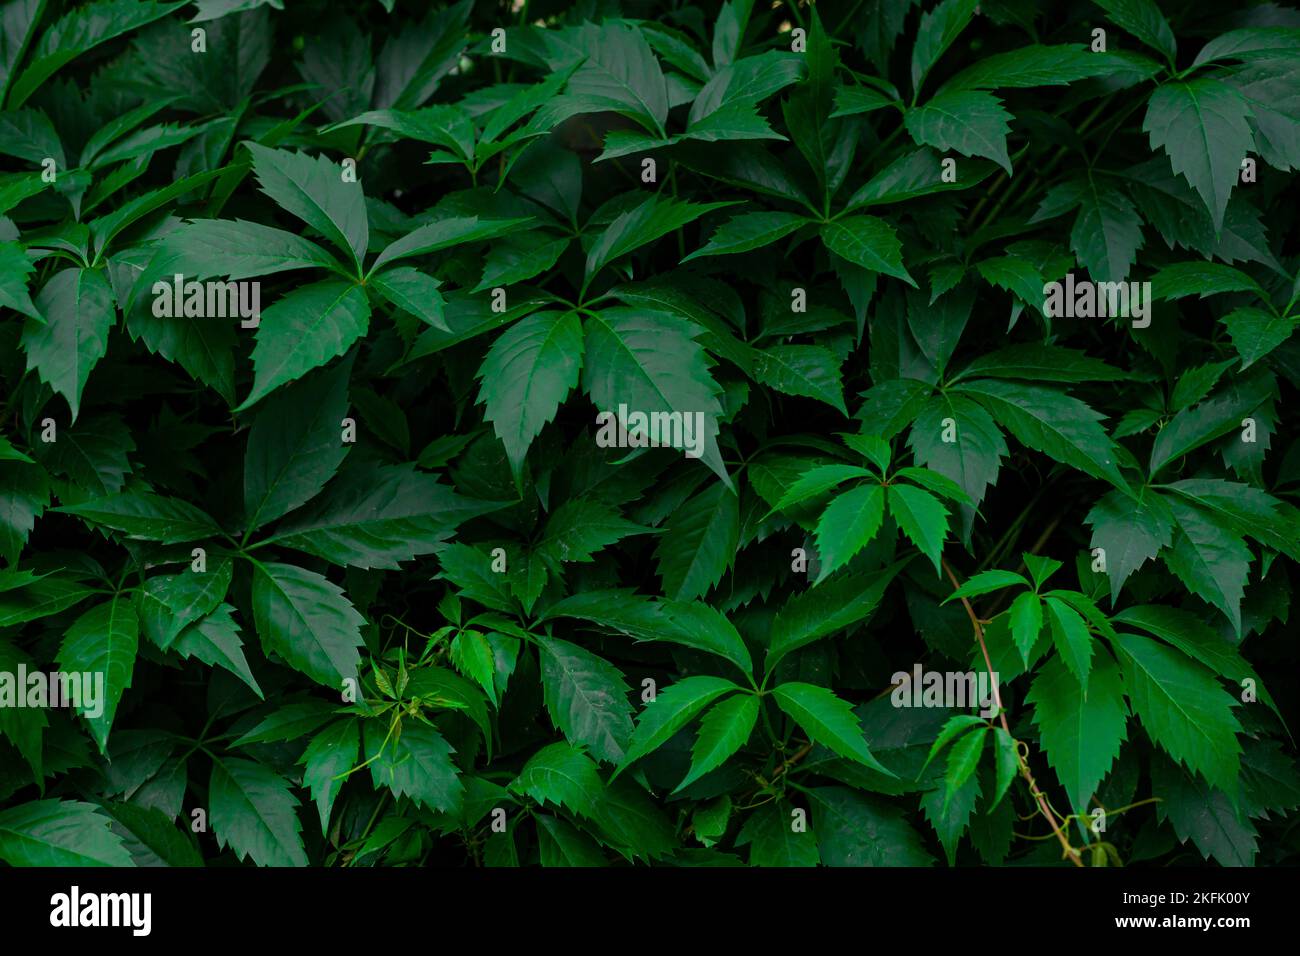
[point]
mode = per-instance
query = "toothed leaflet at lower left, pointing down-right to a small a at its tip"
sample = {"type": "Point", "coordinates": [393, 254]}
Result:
{"type": "Point", "coordinates": [307, 621]}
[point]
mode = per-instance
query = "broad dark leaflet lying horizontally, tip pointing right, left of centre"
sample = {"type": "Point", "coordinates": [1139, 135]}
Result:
{"type": "Point", "coordinates": [376, 516]}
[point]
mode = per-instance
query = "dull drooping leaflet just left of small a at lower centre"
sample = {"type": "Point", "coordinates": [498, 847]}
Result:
{"type": "Point", "coordinates": [588, 699]}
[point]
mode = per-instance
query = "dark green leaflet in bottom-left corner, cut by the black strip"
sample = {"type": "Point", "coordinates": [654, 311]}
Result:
{"type": "Point", "coordinates": [59, 833]}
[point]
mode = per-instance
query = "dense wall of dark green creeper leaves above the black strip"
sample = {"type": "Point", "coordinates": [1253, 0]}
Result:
{"type": "Point", "coordinates": [335, 339]}
